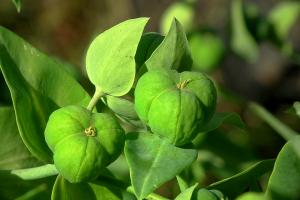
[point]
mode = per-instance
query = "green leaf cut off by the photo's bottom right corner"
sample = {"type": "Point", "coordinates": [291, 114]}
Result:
{"type": "Point", "coordinates": [285, 178]}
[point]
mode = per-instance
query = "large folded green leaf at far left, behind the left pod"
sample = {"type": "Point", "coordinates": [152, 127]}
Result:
{"type": "Point", "coordinates": [38, 85]}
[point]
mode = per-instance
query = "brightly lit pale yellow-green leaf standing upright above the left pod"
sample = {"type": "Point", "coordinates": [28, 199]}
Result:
{"type": "Point", "coordinates": [110, 60]}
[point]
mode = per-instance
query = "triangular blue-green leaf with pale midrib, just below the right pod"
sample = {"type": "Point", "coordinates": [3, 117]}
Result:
{"type": "Point", "coordinates": [153, 161]}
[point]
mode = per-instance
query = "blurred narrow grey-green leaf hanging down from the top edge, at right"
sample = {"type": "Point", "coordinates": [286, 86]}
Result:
{"type": "Point", "coordinates": [242, 42]}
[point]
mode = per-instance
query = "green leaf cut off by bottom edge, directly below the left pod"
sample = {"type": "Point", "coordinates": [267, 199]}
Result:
{"type": "Point", "coordinates": [64, 190]}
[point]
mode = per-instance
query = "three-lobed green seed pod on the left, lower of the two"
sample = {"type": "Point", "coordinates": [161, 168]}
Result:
{"type": "Point", "coordinates": [83, 142]}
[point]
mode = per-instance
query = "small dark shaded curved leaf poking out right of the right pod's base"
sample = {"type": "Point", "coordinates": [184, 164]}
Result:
{"type": "Point", "coordinates": [223, 117]}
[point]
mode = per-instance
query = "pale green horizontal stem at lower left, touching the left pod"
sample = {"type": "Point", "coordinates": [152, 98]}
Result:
{"type": "Point", "coordinates": [36, 172]}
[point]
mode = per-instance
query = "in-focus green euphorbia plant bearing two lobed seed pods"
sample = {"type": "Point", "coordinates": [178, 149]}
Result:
{"type": "Point", "coordinates": [146, 82]}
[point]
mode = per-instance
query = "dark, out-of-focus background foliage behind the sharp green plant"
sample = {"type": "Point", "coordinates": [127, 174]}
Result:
{"type": "Point", "coordinates": [250, 48]}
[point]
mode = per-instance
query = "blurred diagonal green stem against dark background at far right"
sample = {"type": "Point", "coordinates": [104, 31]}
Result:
{"type": "Point", "coordinates": [286, 132]}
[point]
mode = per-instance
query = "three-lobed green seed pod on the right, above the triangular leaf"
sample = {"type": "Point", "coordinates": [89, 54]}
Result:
{"type": "Point", "coordinates": [175, 105]}
